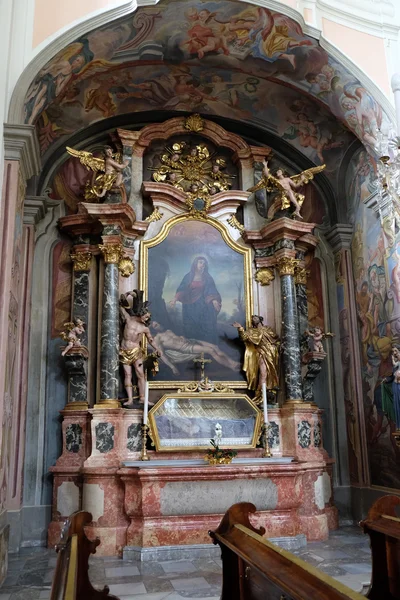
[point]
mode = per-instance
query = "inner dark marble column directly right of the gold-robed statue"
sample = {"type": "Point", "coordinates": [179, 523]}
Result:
{"type": "Point", "coordinates": [291, 355]}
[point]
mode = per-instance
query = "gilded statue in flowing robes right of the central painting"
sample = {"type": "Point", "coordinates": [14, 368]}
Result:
{"type": "Point", "coordinates": [261, 359]}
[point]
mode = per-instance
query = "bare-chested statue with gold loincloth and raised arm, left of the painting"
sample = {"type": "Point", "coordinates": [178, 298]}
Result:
{"type": "Point", "coordinates": [136, 320]}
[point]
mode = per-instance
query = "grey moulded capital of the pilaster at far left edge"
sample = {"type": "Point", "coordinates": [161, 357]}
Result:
{"type": "Point", "coordinates": [21, 144]}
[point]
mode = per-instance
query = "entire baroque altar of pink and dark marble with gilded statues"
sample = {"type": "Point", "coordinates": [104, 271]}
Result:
{"type": "Point", "coordinates": [168, 225]}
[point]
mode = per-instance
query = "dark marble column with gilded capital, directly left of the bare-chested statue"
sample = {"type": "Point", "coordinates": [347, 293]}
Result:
{"type": "Point", "coordinates": [109, 343]}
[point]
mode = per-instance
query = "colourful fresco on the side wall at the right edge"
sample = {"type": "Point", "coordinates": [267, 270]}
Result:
{"type": "Point", "coordinates": [376, 266]}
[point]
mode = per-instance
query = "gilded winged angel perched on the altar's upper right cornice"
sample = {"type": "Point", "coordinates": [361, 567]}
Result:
{"type": "Point", "coordinates": [286, 186]}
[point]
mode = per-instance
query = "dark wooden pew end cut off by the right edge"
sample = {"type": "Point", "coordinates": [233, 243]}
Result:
{"type": "Point", "coordinates": [383, 527]}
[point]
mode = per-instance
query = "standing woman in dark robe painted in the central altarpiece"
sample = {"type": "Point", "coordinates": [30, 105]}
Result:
{"type": "Point", "coordinates": [201, 302]}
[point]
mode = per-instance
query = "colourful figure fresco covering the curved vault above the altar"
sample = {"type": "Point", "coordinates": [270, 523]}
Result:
{"type": "Point", "coordinates": [219, 58]}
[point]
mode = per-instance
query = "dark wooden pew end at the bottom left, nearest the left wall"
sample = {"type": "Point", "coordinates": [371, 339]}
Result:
{"type": "Point", "coordinates": [71, 578]}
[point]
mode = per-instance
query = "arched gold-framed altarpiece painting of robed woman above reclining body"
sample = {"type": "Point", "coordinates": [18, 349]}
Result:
{"type": "Point", "coordinates": [199, 285]}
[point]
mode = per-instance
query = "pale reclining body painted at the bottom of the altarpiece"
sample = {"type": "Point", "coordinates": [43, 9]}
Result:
{"type": "Point", "coordinates": [177, 349]}
